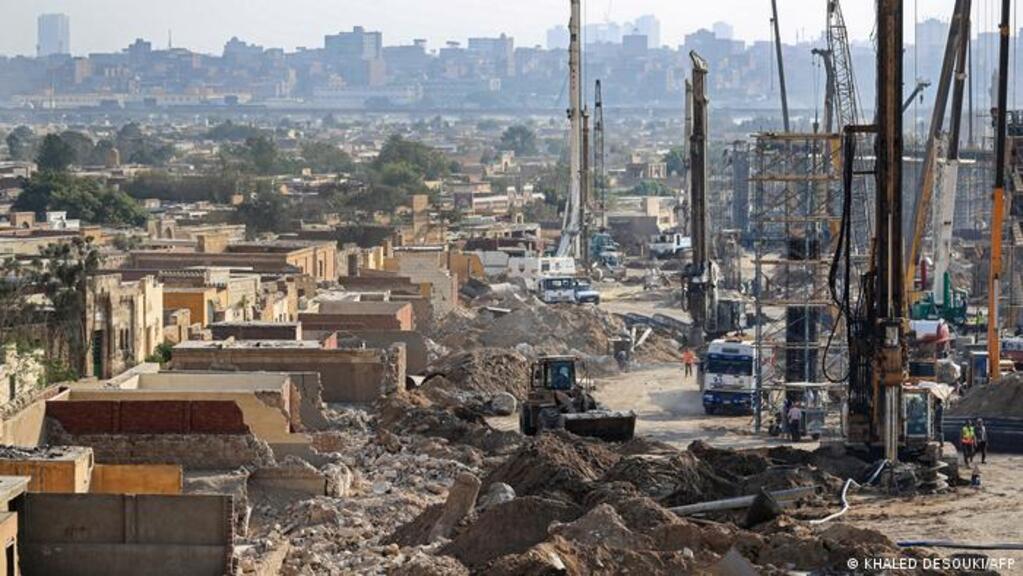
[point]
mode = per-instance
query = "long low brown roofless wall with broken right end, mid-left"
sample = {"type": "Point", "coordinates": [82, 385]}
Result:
{"type": "Point", "coordinates": [346, 376]}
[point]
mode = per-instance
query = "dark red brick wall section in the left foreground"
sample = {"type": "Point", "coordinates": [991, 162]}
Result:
{"type": "Point", "coordinates": [162, 417]}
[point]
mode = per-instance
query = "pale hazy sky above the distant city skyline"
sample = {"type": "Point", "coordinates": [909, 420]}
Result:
{"type": "Point", "coordinates": [206, 25]}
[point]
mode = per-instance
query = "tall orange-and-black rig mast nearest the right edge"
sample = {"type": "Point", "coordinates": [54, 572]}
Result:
{"type": "Point", "coordinates": [999, 201]}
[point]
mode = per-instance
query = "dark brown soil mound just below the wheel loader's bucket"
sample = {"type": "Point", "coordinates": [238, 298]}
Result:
{"type": "Point", "coordinates": [557, 466]}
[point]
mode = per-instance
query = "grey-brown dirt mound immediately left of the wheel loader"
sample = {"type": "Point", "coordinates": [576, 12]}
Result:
{"type": "Point", "coordinates": [484, 372]}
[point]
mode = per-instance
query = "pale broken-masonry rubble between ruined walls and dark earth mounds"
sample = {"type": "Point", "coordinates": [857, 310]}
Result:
{"type": "Point", "coordinates": [387, 480]}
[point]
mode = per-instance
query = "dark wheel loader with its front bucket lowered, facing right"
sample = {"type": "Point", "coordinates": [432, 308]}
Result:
{"type": "Point", "coordinates": [558, 402]}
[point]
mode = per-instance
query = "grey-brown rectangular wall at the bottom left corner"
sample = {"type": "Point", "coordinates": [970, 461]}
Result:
{"type": "Point", "coordinates": [115, 536]}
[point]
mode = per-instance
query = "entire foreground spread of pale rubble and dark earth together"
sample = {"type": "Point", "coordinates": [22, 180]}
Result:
{"type": "Point", "coordinates": [423, 490]}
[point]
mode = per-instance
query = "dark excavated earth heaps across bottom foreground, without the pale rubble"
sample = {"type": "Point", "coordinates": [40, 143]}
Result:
{"type": "Point", "coordinates": [564, 505]}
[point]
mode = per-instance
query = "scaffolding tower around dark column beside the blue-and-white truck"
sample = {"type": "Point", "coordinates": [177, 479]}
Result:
{"type": "Point", "coordinates": [797, 192]}
